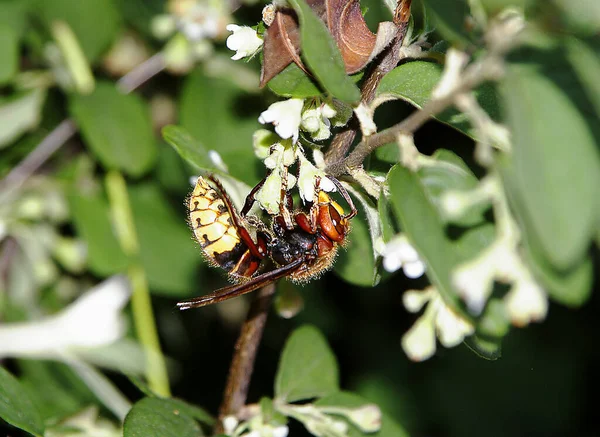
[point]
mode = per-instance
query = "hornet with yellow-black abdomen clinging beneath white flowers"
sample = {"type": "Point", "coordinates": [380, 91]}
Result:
{"type": "Point", "coordinates": [299, 248]}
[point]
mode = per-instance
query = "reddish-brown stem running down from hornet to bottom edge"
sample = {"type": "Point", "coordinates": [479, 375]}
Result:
{"type": "Point", "coordinates": [242, 364]}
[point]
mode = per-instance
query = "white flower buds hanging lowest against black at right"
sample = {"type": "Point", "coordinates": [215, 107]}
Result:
{"type": "Point", "coordinates": [451, 328]}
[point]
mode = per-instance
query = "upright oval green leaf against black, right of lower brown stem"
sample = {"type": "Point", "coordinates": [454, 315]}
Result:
{"type": "Point", "coordinates": [307, 368]}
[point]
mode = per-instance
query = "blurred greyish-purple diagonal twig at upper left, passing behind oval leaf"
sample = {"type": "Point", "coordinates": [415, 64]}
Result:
{"type": "Point", "coordinates": [67, 128]}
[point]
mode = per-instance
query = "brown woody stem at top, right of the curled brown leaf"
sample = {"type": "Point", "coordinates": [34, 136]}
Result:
{"type": "Point", "coordinates": [383, 64]}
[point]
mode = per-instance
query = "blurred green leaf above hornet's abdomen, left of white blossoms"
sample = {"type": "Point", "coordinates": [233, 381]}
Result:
{"type": "Point", "coordinates": [223, 118]}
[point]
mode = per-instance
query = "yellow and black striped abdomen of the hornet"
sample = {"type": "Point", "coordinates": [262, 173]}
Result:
{"type": "Point", "coordinates": [214, 228]}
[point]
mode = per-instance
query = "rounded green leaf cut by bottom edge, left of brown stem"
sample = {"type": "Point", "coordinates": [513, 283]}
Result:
{"type": "Point", "coordinates": [156, 417]}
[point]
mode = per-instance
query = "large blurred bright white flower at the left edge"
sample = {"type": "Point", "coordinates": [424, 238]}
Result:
{"type": "Point", "coordinates": [93, 320]}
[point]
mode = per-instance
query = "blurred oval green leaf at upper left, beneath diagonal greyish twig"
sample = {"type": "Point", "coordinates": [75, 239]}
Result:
{"type": "Point", "coordinates": [117, 128]}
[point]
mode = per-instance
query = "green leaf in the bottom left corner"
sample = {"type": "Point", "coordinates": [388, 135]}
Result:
{"type": "Point", "coordinates": [16, 407]}
